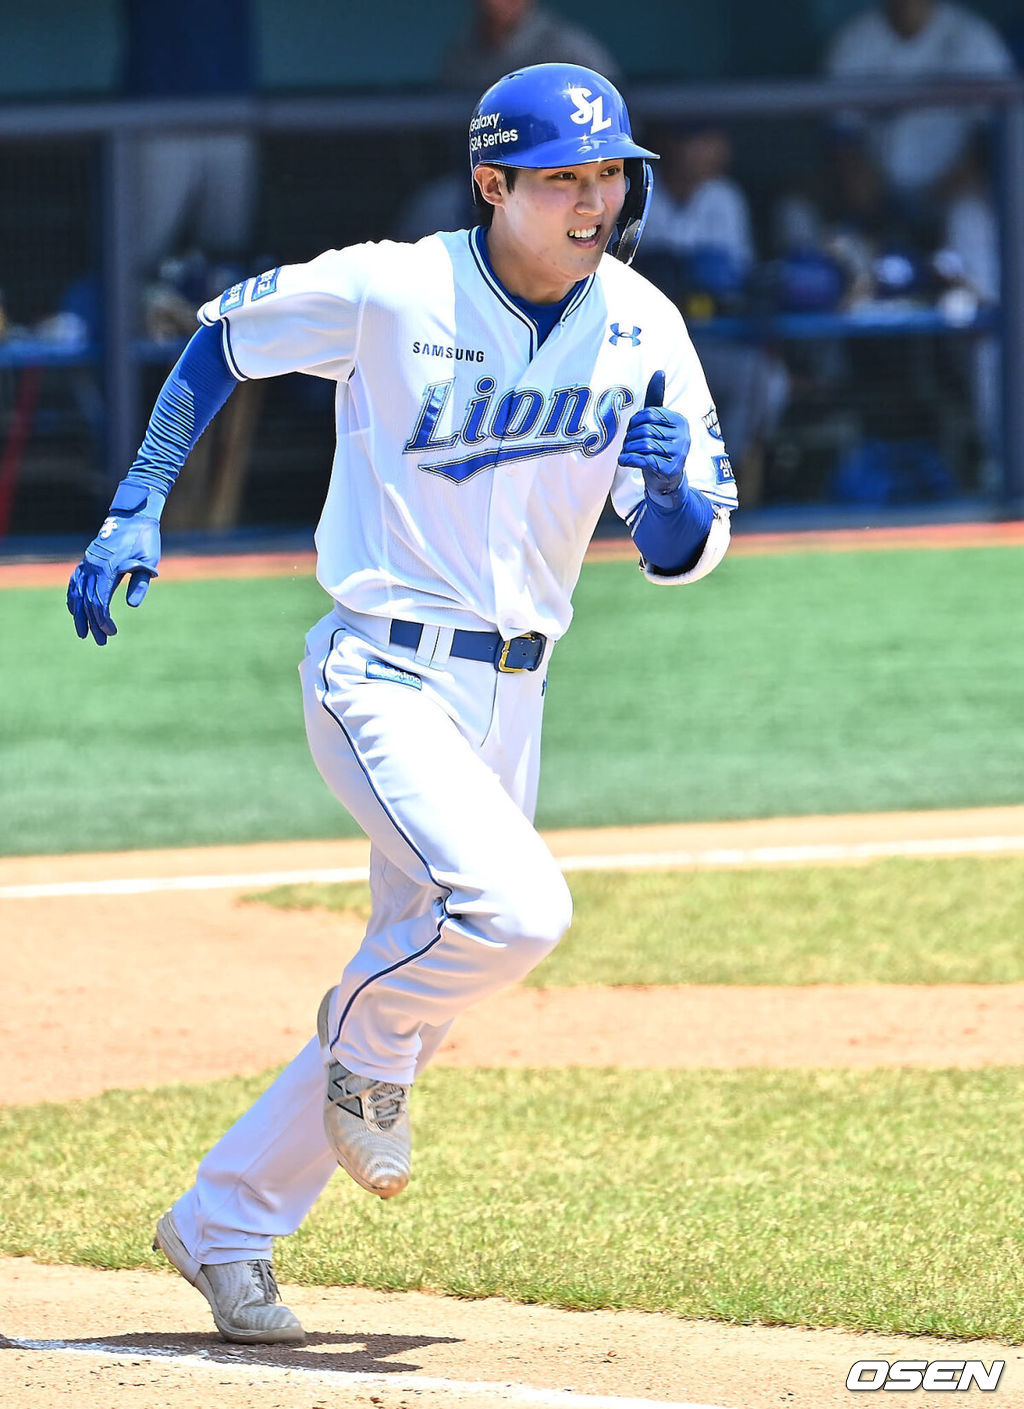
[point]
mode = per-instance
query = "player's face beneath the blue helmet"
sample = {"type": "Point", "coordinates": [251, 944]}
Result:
{"type": "Point", "coordinates": [551, 229]}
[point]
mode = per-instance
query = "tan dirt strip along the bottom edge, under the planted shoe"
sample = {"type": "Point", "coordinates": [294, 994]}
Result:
{"type": "Point", "coordinates": [373, 1349]}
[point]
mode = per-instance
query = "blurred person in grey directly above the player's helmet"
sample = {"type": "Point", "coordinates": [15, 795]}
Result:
{"type": "Point", "coordinates": [512, 35]}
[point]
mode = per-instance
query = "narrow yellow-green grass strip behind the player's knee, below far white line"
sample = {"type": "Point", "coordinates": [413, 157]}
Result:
{"type": "Point", "coordinates": [951, 921]}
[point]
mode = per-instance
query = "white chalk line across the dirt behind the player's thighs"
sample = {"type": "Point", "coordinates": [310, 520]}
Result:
{"type": "Point", "coordinates": [629, 862]}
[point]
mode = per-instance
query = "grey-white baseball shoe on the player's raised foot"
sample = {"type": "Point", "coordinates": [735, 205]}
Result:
{"type": "Point", "coordinates": [367, 1121]}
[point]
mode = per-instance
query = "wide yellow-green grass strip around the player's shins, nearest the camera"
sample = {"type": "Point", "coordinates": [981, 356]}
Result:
{"type": "Point", "coordinates": [885, 1201]}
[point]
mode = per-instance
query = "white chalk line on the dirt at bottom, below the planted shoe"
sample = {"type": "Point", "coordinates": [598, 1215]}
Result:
{"type": "Point", "coordinates": [509, 1391]}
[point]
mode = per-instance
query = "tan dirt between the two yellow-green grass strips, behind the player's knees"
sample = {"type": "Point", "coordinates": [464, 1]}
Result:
{"type": "Point", "coordinates": [84, 1008]}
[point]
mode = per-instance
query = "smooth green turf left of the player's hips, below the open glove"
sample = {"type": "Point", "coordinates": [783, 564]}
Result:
{"type": "Point", "coordinates": [185, 729]}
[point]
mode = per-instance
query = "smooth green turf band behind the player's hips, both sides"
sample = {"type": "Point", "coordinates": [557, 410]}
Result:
{"type": "Point", "coordinates": [780, 685]}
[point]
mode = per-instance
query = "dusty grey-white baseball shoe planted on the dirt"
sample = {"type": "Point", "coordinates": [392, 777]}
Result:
{"type": "Point", "coordinates": [243, 1297]}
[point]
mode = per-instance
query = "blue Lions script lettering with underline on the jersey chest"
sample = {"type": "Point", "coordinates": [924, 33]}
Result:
{"type": "Point", "coordinates": [525, 422]}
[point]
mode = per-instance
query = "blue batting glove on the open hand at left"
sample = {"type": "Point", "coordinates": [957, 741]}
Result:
{"type": "Point", "coordinates": [127, 543]}
